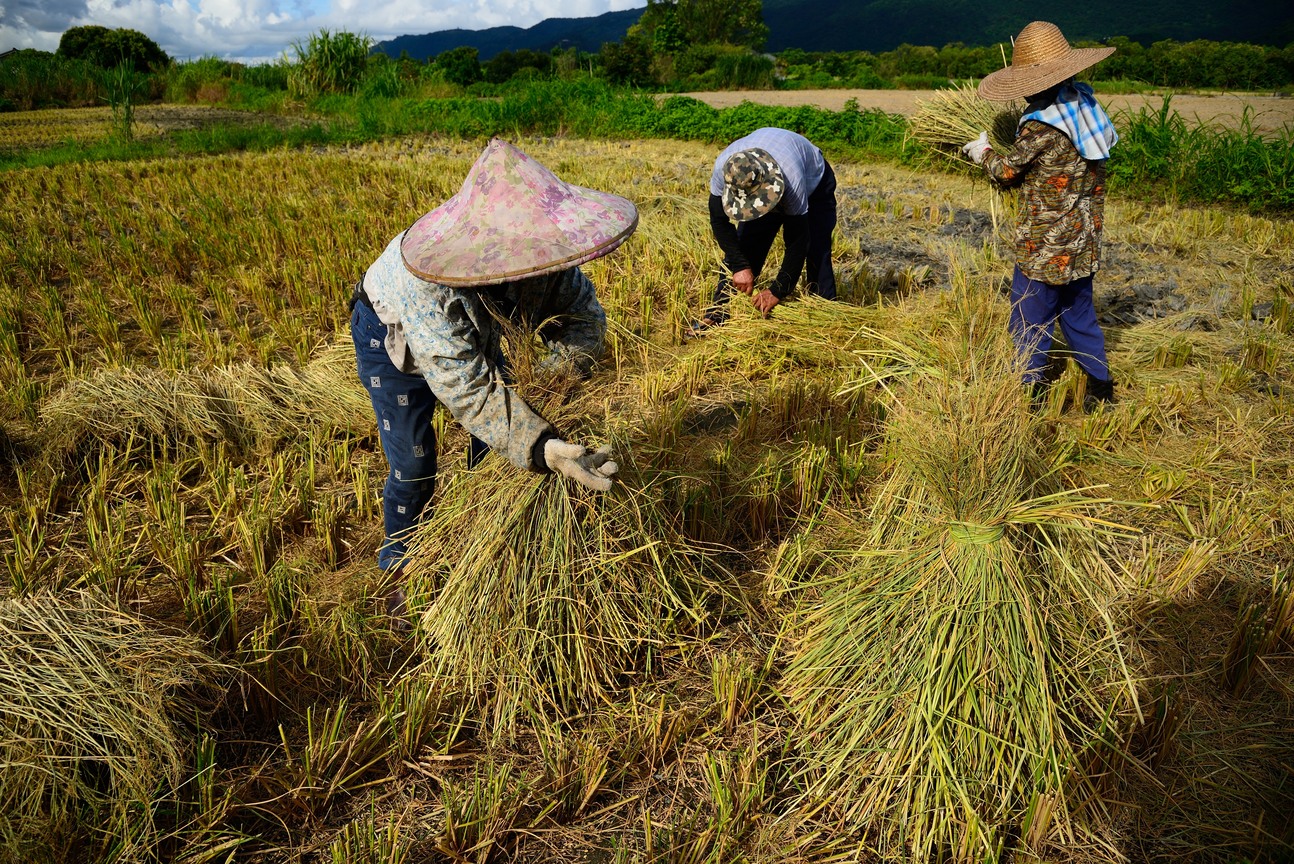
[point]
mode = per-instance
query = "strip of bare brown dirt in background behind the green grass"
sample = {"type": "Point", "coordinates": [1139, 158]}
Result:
{"type": "Point", "coordinates": [1270, 113]}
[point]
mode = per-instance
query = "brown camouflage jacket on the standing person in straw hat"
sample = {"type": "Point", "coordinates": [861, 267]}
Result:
{"type": "Point", "coordinates": [1062, 206]}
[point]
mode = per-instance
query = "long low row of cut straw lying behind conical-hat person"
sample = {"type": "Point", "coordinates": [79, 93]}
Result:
{"type": "Point", "coordinates": [243, 405]}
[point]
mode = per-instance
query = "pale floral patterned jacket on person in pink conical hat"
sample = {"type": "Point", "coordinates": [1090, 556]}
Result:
{"type": "Point", "coordinates": [454, 338]}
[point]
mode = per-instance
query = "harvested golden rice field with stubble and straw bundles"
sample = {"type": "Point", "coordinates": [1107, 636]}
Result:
{"type": "Point", "coordinates": [804, 497]}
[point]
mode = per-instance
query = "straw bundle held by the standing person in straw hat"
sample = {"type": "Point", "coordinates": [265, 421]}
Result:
{"type": "Point", "coordinates": [950, 118]}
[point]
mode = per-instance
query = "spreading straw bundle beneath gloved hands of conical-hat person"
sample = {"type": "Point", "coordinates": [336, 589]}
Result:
{"type": "Point", "coordinates": [547, 596]}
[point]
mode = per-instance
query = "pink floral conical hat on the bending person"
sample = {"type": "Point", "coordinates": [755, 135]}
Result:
{"type": "Point", "coordinates": [514, 219]}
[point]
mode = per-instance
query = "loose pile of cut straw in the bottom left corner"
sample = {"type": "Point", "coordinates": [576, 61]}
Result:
{"type": "Point", "coordinates": [89, 700]}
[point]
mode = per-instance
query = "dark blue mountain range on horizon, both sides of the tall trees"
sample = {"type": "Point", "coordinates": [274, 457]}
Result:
{"type": "Point", "coordinates": [883, 25]}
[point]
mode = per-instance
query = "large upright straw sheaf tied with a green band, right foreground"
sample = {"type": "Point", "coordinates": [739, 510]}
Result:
{"type": "Point", "coordinates": [956, 676]}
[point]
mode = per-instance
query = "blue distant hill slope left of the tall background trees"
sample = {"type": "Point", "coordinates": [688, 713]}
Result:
{"type": "Point", "coordinates": [586, 34]}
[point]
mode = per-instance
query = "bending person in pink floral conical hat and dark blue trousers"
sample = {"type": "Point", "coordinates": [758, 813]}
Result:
{"type": "Point", "coordinates": [428, 321]}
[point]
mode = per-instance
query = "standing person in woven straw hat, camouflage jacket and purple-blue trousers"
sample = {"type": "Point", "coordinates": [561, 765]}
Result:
{"type": "Point", "coordinates": [1059, 162]}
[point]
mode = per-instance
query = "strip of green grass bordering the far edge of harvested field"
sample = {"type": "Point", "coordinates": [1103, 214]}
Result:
{"type": "Point", "coordinates": [1160, 155]}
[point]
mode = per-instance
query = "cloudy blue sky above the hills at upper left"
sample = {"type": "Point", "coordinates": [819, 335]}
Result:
{"type": "Point", "coordinates": [261, 30]}
